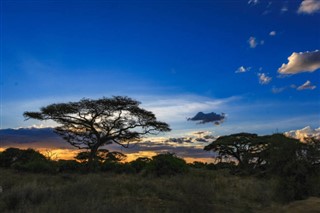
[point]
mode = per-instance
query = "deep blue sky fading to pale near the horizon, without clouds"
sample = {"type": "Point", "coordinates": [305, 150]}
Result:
{"type": "Point", "coordinates": [176, 57]}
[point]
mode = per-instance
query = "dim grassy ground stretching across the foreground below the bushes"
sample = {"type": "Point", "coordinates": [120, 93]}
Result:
{"type": "Point", "coordinates": [198, 191]}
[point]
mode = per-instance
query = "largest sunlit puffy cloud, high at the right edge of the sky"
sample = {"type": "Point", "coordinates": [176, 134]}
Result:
{"type": "Point", "coordinates": [301, 62]}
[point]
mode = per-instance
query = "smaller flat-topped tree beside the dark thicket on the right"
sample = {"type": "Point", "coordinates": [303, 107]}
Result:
{"type": "Point", "coordinates": [245, 148]}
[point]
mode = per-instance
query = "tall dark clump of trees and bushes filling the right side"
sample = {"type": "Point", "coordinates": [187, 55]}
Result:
{"type": "Point", "coordinates": [294, 164]}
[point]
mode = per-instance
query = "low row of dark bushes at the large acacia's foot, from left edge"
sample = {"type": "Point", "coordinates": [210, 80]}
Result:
{"type": "Point", "coordinates": [30, 160]}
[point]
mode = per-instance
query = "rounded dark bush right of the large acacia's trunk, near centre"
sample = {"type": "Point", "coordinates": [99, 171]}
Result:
{"type": "Point", "coordinates": [166, 164]}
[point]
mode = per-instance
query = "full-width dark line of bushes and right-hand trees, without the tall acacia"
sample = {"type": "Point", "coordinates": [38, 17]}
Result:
{"type": "Point", "coordinates": [294, 166]}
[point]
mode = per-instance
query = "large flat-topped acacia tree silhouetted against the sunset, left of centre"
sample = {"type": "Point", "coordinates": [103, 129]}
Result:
{"type": "Point", "coordinates": [91, 124]}
